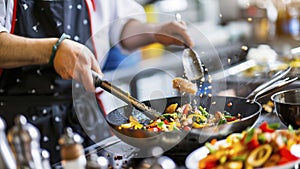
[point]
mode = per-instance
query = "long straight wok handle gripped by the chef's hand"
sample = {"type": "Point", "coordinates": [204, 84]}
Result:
{"type": "Point", "coordinates": [125, 96]}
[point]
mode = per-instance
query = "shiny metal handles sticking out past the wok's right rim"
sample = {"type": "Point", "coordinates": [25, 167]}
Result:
{"type": "Point", "coordinates": [276, 82]}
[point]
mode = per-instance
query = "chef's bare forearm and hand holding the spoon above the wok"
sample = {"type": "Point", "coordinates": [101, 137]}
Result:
{"type": "Point", "coordinates": [136, 34]}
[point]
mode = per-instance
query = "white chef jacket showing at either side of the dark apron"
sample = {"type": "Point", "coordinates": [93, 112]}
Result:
{"type": "Point", "coordinates": [107, 19]}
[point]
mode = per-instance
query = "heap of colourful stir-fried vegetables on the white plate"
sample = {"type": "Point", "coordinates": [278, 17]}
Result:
{"type": "Point", "coordinates": [257, 147]}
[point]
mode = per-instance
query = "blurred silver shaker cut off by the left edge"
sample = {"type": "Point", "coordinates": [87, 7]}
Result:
{"type": "Point", "coordinates": [7, 159]}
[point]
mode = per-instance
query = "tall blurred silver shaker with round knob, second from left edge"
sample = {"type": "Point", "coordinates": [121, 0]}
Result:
{"type": "Point", "coordinates": [24, 139]}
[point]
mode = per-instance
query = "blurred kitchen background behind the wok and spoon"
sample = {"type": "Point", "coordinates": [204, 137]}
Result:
{"type": "Point", "coordinates": [224, 31]}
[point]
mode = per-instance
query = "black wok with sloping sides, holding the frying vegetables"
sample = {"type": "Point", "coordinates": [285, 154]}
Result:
{"type": "Point", "coordinates": [144, 139]}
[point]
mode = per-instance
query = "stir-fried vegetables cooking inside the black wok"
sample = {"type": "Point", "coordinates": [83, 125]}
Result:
{"type": "Point", "coordinates": [182, 118]}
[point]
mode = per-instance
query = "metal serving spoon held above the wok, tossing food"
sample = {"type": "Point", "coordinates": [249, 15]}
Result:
{"type": "Point", "coordinates": [192, 64]}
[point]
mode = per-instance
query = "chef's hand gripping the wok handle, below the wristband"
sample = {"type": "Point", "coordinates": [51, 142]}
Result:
{"type": "Point", "coordinates": [75, 61]}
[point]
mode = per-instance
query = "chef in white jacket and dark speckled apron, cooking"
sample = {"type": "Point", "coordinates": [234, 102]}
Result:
{"type": "Point", "coordinates": [47, 45]}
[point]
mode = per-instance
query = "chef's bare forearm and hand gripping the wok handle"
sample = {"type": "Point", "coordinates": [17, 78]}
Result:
{"type": "Point", "coordinates": [72, 59]}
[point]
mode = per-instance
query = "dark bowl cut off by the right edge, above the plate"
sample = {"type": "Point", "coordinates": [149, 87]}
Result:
{"type": "Point", "coordinates": [287, 106]}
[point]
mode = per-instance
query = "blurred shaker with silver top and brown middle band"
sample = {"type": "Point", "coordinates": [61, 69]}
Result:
{"type": "Point", "coordinates": [72, 152]}
